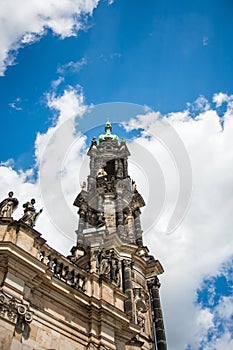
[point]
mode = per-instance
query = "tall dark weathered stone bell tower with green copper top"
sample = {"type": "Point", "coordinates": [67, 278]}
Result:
{"type": "Point", "coordinates": [110, 246]}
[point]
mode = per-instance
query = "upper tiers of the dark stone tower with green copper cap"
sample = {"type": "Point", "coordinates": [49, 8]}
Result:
{"type": "Point", "coordinates": [110, 206]}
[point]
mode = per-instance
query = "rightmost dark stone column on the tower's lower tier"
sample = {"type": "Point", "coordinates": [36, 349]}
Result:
{"type": "Point", "coordinates": [154, 285]}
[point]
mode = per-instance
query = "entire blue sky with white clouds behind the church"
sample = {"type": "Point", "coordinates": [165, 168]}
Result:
{"type": "Point", "coordinates": [161, 71]}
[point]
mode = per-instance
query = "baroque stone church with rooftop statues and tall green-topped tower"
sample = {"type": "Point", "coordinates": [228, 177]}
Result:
{"type": "Point", "coordinates": [105, 294]}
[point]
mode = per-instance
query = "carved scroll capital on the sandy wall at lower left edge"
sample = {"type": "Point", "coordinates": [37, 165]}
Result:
{"type": "Point", "coordinates": [14, 310]}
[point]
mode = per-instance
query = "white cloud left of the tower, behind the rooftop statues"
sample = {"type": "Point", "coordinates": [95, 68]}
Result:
{"type": "Point", "coordinates": [50, 155]}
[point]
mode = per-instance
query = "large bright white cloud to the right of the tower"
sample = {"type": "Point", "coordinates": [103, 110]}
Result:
{"type": "Point", "coordinates": [204, 239]}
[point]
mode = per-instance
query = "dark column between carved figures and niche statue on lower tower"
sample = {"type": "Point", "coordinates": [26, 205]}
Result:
{"type": "Point", "coordinates": [128, 287]}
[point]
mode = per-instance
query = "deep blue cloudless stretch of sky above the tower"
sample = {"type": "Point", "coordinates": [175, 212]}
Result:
{"type": "Point", "coordinates": [162, 54]}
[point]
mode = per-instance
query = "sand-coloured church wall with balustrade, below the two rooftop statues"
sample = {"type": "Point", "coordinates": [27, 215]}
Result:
{"type": "Point", "coordinates": [70, 308]}
